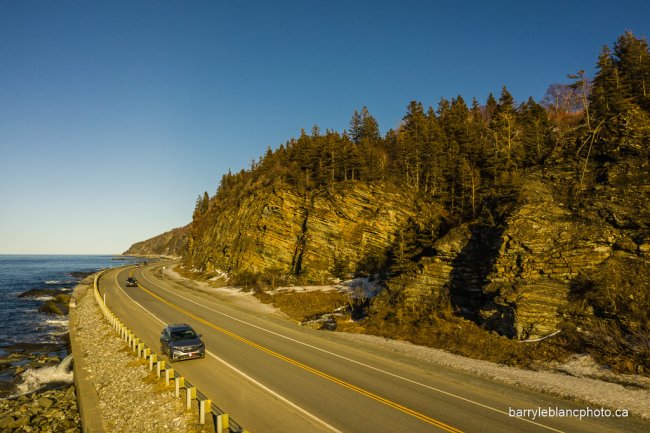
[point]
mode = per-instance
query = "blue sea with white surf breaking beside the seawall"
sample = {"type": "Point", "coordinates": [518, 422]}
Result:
{"type": "Point", "coordinates": [26, 333]}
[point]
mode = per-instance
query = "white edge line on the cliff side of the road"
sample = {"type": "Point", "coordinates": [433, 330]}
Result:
{"type": "Point", "coordinates": [467, 400]}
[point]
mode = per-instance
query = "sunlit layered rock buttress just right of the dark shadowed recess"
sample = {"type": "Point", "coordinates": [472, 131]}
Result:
{"type": "Point", "coordinates": [543, 249]}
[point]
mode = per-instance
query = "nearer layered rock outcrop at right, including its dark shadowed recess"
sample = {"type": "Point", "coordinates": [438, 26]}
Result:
{"type": "Point", "coordinates": [518, 279]}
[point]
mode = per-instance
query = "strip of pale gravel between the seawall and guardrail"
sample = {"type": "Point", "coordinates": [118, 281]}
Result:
{"type": "Point", "coordinates": [117, 391]}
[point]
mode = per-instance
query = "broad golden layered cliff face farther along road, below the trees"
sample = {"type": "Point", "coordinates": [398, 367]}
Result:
{"type": "Point", "coordinates": [318, 235]}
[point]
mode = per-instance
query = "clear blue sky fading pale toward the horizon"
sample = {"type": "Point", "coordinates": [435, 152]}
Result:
{"type": "Point", "coordinates": [115, 115]}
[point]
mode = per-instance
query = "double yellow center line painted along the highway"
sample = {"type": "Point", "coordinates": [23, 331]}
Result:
{"type": "Point", "coordinates": [305, 367]}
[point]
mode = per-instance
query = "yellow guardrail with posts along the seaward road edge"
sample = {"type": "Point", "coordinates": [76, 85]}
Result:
{"type": "Point", "coordinates": [221, 420]}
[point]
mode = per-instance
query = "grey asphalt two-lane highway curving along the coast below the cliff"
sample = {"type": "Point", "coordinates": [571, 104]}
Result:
{"type": "Point", "coordinates": [272, 375]}
